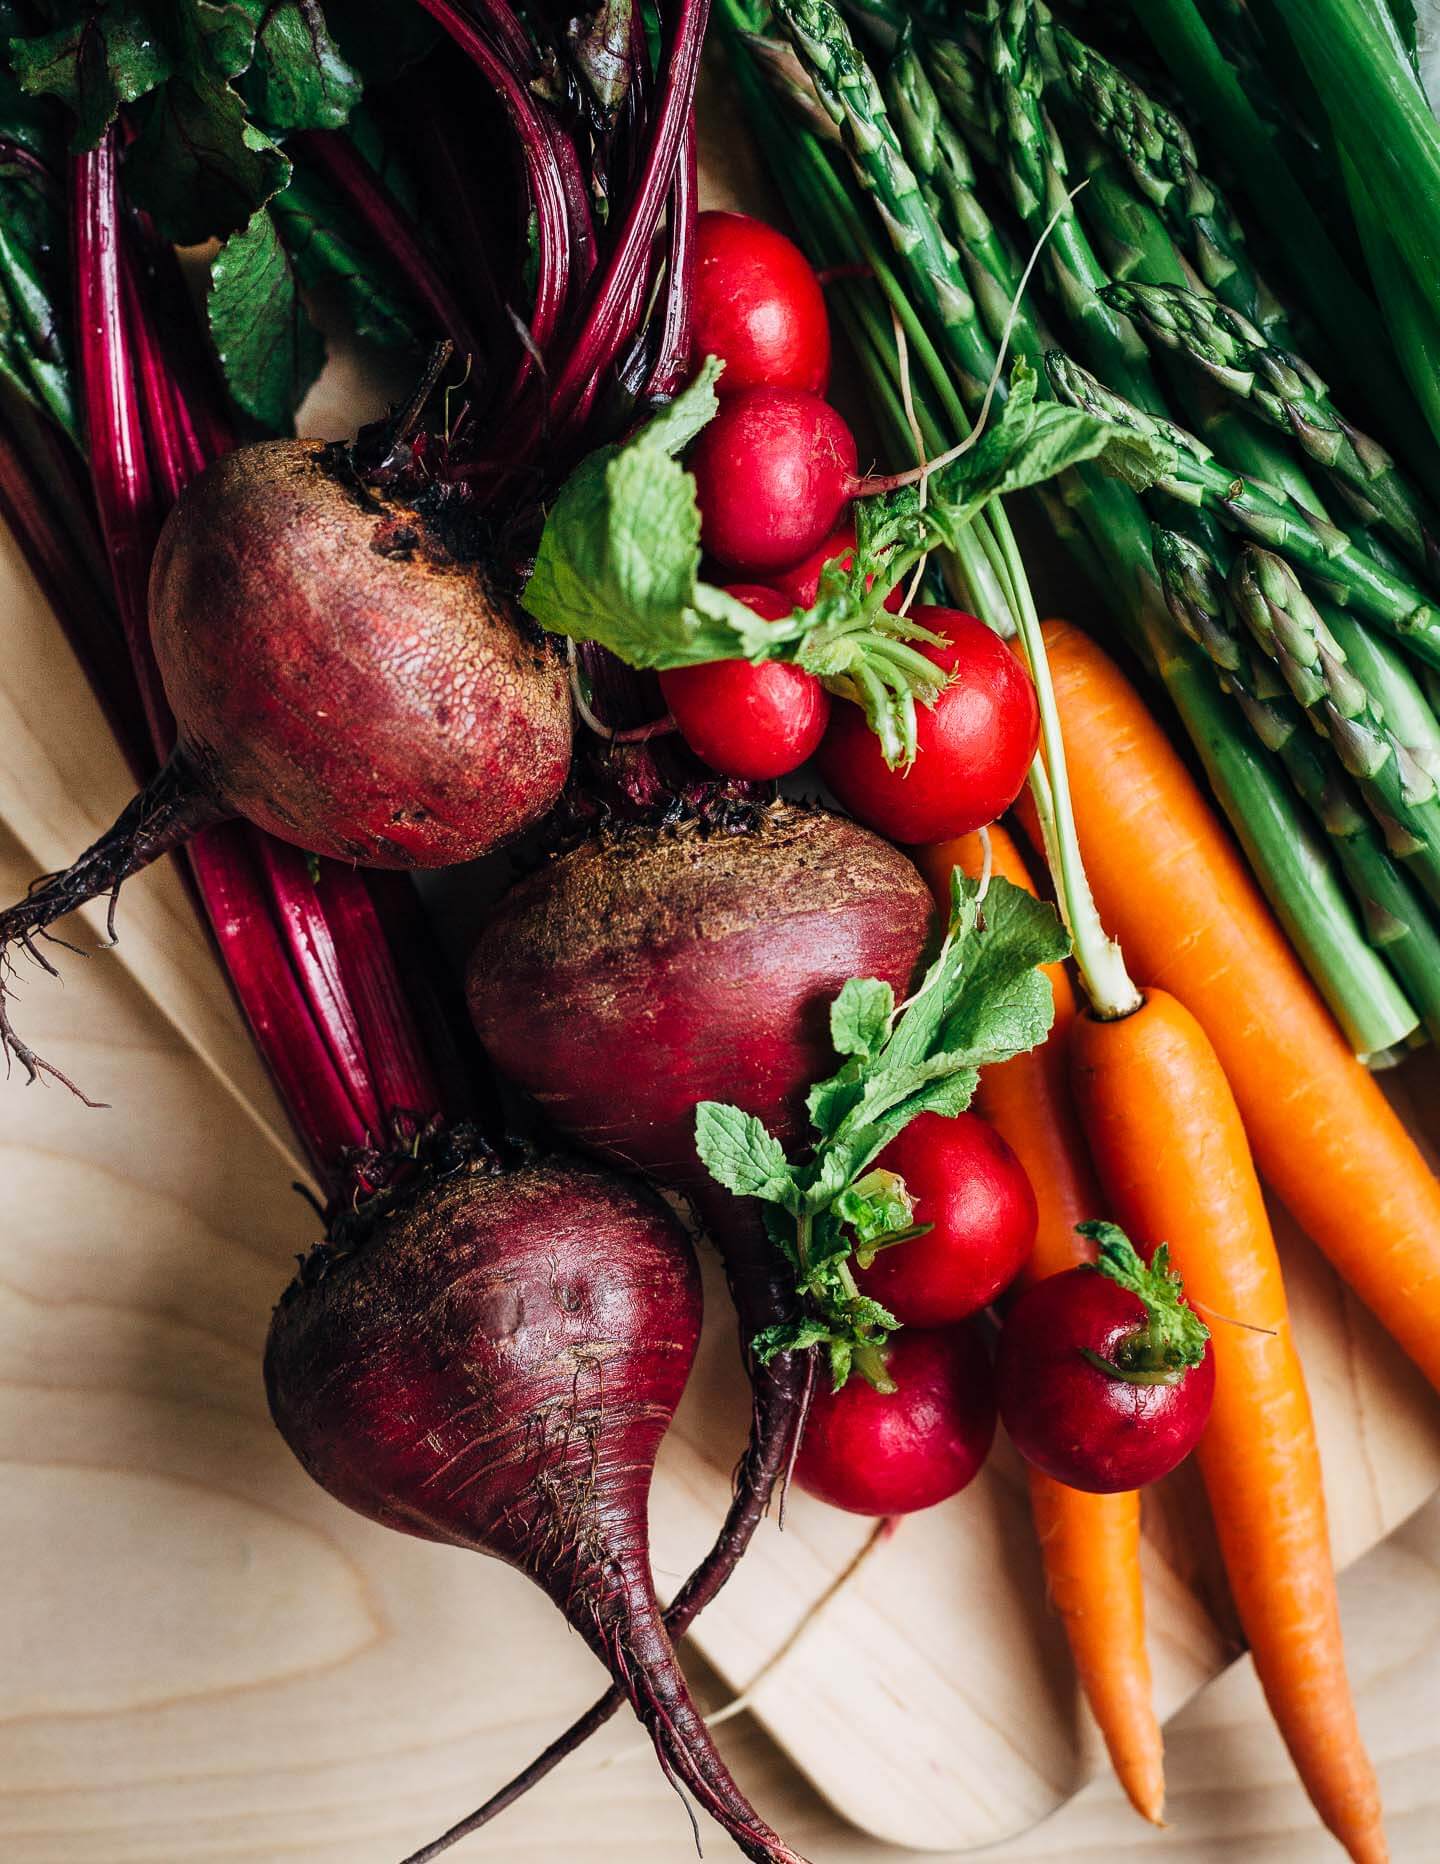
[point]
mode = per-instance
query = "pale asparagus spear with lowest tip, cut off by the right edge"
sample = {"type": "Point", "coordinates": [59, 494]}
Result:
{"type": "Point", "coordinates": [1312, 663]}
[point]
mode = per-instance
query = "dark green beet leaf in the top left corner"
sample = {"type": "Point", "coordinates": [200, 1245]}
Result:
{"type": "Point", "coordinates": [102, 59]}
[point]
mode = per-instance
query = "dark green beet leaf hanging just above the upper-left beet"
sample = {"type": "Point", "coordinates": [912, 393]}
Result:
{"type": "Point", "coordinates": [267, 348]}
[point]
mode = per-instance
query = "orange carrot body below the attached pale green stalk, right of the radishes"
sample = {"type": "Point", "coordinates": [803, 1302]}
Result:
{"type": "Point", "coordinates": [1173, 1157]}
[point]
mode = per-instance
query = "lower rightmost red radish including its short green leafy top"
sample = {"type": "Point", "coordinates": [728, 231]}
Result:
{"type": "Point", "coordinates": [1106, 1375]}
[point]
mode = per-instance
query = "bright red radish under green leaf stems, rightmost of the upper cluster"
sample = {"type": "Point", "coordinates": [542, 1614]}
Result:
{"type": "Point", "coordinates": [975, 745]}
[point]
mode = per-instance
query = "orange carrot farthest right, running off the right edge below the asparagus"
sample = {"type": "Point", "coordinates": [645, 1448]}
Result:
{"type": "Point", "coordinates": [1178, 896]}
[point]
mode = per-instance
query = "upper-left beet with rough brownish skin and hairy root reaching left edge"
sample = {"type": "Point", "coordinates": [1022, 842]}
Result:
{"type": "Point", "coordinates": [338, 679]}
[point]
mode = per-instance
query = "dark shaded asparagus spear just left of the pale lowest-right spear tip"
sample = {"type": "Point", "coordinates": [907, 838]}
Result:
{"type": "Point", "coordinates": [1394, 914]}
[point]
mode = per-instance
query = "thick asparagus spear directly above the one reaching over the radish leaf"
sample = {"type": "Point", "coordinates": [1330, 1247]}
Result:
{"type": "Point", "coordinates": [1290, 396]}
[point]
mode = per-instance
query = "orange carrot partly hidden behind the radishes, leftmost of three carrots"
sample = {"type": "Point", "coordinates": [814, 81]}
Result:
{"type": "Point", "coordinates": [1091, 1544]}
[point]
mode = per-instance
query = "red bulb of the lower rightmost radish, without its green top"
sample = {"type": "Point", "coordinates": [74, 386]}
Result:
{"type": "Point", "coordinates": [1089, 1427]}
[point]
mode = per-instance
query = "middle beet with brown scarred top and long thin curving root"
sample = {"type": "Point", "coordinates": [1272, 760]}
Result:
{"type": "Point", "coordinates": [649, 970]}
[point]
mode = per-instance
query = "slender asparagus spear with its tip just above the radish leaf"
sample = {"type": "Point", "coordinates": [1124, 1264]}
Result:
{"type": "Point", "coordinates": [1361, 582]}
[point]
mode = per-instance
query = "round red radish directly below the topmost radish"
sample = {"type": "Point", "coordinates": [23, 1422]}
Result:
{"type": "Point", "coordinates": [774, 473]}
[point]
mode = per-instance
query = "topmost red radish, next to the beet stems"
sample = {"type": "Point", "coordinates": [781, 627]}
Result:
{"type": "Point", "coordinates": [759, 308]}
